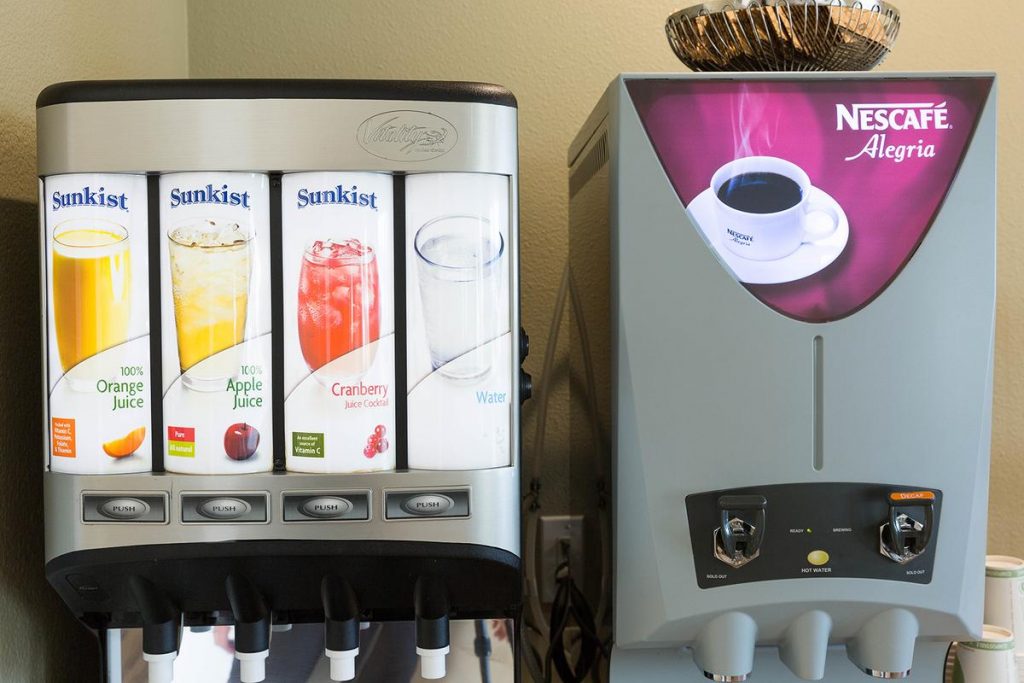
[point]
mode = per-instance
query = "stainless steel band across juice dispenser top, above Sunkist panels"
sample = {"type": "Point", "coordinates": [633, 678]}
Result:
{"type": "Point", "coordinates": [266, 135]}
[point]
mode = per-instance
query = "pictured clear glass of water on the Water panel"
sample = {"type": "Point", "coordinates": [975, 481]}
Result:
{"type": "Point", "coordinates": [459, 263]}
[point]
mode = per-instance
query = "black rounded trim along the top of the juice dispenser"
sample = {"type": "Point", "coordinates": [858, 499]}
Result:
{"type": "Point", "coordinates": [102, 92]}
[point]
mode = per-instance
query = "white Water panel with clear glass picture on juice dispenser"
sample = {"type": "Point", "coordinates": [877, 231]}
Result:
{"type": "Point", "coordinates": [459, 321]}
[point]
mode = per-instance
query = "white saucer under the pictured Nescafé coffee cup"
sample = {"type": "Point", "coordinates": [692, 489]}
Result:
{"type": "Point", "coordinates": [810, 259]}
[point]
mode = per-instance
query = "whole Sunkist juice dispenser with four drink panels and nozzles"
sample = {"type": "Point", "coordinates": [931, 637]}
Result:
{"type": "Point", "coordinates": [283, 360]}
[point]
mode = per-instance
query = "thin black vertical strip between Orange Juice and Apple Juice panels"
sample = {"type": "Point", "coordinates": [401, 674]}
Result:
{"type": "Point", "coordinates": [156, 327]}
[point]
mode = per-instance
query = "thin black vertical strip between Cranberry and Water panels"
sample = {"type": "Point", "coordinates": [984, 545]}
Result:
{"type": "Point", "coordinates": [401, 327]}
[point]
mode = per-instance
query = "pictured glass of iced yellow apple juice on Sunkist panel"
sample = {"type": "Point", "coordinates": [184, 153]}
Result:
{"type": "Point", "coordinates": [210, 268]}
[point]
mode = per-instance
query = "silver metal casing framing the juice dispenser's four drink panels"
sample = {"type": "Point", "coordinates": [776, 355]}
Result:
{"type": "Point", "coordinates": [303, 134]}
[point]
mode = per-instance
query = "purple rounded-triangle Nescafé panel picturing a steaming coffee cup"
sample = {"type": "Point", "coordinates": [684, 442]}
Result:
{"type": "Point", "coordinates": [815, 194]}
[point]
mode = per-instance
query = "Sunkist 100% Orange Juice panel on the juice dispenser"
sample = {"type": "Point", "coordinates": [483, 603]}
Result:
{"type": "Point", "coordinates": [98, 323]}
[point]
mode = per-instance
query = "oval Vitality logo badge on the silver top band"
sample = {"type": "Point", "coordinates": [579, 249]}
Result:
{"type": "Point", "coordinates": [407, 136]}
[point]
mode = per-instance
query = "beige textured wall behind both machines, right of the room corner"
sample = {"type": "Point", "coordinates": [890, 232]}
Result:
{"type": "Point", "coordinates": [558, 57]}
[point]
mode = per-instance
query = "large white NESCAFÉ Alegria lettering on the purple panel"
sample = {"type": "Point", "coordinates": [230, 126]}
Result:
{"type": "Point", "coordinates": [883, 119]}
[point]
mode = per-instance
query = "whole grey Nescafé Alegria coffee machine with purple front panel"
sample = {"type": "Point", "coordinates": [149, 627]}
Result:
{"type": "Point", "coordinates": [788, 282]}
